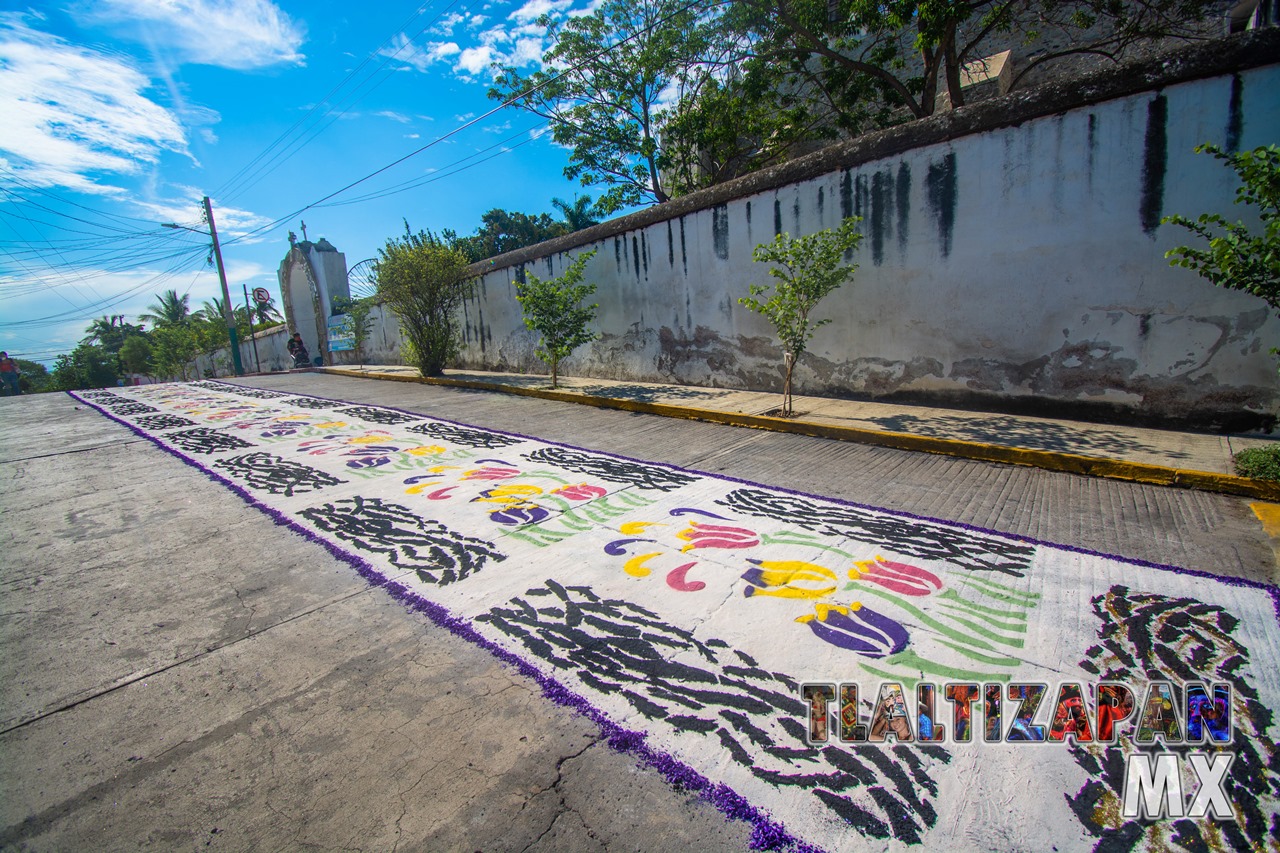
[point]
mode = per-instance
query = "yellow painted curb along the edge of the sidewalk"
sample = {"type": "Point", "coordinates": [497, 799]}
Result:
{"type": "Point", "coordinates": [980, 451]}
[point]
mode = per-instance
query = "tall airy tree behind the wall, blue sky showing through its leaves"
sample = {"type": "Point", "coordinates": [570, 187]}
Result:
{"type": "Point", "coordinates": [604, 86]}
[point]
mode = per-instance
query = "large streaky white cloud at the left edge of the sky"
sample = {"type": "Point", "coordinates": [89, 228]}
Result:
{"type": "Point", "coordinates": [72, 113]}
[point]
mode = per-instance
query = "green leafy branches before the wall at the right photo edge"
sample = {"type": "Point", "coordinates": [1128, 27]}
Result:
{"type": "Point", "coordinates": [1237, 257]}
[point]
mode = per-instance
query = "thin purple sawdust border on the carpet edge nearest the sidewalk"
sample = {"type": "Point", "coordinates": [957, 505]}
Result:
{"type": "Point", "coordinates": [1274, 591]}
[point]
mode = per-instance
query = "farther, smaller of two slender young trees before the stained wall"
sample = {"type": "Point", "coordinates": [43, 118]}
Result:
{"type": "Point", "coordinates": [554, 309]}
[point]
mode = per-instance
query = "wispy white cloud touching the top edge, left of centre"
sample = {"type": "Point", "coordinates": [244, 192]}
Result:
{"type": "Point", "coordinates": [228, 34]}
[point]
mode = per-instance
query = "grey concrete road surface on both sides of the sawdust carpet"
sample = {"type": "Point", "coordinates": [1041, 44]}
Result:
{"type": "Point", "coordinates": [180, 673]}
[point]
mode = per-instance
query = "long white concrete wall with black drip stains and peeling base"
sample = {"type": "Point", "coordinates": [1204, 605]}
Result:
{"type": "Point", "coordinates": [1013, 258]}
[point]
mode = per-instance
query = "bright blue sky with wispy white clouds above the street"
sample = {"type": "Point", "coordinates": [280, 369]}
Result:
{"type": "Point", "coordinates": [118, 116]}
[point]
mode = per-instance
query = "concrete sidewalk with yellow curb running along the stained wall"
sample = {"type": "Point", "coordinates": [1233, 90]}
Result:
{"type": "Point", "coordinates": [1133, 454]}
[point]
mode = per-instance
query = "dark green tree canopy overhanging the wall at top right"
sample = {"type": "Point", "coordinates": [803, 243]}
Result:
{"type": "Point", "coordinates": [858, 61]}
